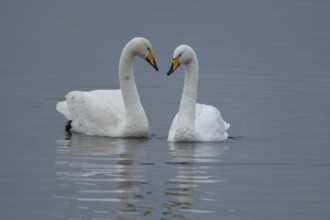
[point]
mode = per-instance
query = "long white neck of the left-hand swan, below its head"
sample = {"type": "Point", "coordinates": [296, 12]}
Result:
{"type": "Point", "coordinates": [127, 83]}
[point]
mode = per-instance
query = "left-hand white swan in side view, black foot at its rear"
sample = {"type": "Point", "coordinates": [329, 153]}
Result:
{"type": "Point", "coordinates": [112, 113]}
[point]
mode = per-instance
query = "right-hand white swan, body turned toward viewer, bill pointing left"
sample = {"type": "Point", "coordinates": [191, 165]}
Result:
{"type": "Point", "coordinates": [194, 122]}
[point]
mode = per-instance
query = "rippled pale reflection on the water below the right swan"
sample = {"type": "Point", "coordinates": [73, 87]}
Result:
{"type": "Point", "coordinates": [193, 160]}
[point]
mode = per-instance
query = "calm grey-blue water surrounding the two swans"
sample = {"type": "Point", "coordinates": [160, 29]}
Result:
{"type": "Point", "coordinates": [264, 64]}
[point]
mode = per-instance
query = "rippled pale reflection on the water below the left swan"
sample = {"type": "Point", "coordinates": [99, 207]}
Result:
{"type": "Point", "coordinates": [100, 177]}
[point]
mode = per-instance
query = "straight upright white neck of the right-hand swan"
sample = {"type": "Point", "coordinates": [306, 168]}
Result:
{"type": "Point", "coordinates": [189, 95]}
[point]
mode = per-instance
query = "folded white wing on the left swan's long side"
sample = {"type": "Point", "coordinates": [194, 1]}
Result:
{"type": "Point", "coordinates": [92, 112]}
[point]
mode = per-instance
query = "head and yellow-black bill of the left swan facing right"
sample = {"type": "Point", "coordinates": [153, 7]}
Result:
{"type": "Point", "coordinates": [142, 48]}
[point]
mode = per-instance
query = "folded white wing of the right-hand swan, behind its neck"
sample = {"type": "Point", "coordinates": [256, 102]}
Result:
{"type": "Point", "coordinates": [209, 123]}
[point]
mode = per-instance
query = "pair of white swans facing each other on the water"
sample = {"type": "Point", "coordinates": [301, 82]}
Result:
{"type": "Point", "coordinates": [119, 113]}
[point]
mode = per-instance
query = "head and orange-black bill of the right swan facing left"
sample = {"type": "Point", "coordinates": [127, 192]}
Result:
{"type": "Point", "coordinates": [183, 54]}
